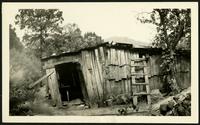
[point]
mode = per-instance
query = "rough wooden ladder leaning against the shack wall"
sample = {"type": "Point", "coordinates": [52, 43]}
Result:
{"type": "Point", "coordinates": [134, 85]}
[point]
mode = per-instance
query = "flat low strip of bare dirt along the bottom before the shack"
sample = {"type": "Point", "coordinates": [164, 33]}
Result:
{"type": "Point", "coordinates": [104, 111]}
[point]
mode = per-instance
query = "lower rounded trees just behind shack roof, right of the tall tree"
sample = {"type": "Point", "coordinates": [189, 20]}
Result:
{"type": "Point", "coordinates": [71, 39]}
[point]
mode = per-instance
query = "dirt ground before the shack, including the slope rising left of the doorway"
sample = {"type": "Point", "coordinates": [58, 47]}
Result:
{"type": "Point", "coordinates": [43, 107]}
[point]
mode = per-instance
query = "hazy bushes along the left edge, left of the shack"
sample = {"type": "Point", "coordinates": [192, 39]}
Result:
{"type": "Point", "coordinates": [24, 69]}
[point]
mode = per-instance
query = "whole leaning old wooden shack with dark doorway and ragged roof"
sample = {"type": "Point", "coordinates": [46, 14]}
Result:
{"type": "Point", "coordinates": [95, 73]}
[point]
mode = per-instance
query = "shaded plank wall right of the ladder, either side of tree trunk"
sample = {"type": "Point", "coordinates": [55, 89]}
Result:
{"type": "Point", "coordinates": [183, 68]}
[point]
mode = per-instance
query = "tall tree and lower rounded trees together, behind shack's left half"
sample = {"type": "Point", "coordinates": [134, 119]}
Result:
{"type": "Point", "coordinates": [45, 35]}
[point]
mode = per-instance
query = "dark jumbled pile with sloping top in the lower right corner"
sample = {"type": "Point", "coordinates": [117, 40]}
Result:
{"type": "Point", "coordinates": [178, 105]}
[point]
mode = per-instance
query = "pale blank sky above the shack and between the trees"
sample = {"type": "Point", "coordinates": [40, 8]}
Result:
{"type": "Point", "coordinates": [106, 20]}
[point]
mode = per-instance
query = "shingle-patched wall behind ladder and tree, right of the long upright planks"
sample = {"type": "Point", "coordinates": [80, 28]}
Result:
{"type": "Point", "coordinates": [118, 71]}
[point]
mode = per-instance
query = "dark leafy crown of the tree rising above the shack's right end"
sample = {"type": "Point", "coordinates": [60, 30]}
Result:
{"type": "Point", "coordinates": [173, 27]}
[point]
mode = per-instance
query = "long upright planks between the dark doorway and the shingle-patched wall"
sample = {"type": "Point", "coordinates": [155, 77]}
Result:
{"type": "Point", "coordinates": [92, 66]}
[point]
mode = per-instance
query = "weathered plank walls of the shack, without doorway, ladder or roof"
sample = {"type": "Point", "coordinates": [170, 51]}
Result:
{"type": "Point", "coordinates": [106, 71]}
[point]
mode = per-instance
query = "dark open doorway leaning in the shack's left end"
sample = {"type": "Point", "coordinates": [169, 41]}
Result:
{"type": "Point", "coordinates": [70, 79]}
